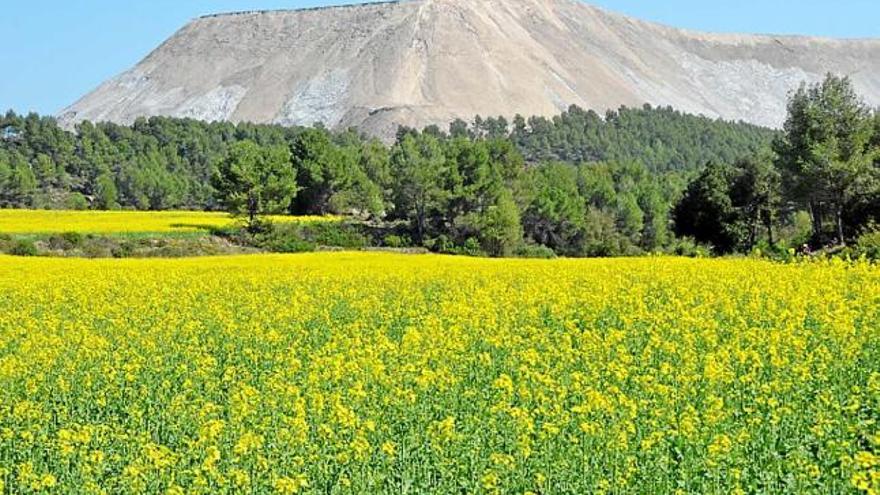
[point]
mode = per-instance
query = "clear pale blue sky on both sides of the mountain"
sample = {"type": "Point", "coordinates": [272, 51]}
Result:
{"type": "Point", "coordinates": [54, 51]}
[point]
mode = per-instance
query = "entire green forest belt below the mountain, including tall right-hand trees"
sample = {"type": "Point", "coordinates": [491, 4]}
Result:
{"type": "Point", "coordinates": [579, 184]}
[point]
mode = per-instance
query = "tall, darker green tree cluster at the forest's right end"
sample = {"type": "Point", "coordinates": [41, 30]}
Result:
{"type": "Point", "coordinates": [822, 187]}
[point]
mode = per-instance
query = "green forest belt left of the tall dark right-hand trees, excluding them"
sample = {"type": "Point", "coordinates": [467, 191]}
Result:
{"type": "Point", "coordinates": [576, 184]}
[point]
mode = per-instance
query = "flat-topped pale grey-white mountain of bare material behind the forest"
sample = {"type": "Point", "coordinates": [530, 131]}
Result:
{"type": "Point", "coordinates": [423, 62]}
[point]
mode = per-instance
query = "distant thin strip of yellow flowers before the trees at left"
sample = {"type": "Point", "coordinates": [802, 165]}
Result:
{"type": "Point", "coordinates": [121, 222]}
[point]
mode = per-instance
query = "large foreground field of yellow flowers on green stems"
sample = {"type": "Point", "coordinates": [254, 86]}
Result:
{"type": "Point", "coordinates": [379, 373]}
